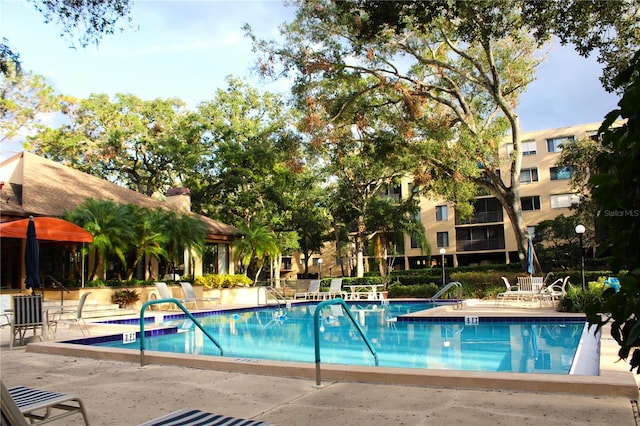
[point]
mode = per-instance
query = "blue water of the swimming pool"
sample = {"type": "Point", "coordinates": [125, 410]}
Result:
{"type": "Point", "coordinates": [287, 334]}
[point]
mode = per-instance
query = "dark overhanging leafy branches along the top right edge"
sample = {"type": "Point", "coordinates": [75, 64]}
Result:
{"type": "Point", "coordinates": [610, 28]}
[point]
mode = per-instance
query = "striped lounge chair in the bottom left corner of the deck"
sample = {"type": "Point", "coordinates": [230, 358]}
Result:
{"type": "Point", "coordinates": [22, 406]}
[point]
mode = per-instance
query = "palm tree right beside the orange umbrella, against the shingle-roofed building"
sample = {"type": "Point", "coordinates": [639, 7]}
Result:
{"type": "Point", "coordinates": [110, 224]}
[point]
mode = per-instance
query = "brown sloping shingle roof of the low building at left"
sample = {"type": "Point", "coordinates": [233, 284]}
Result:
{"type": "Point", "coordinates": [49, 188]}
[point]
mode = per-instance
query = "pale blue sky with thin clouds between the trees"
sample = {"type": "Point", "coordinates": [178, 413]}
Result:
{"type": "Point", "coordinates": [187, 49]}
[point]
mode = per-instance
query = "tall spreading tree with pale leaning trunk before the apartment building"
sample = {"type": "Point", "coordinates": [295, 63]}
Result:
{"type": "Point", "coordinates": [448, 102]}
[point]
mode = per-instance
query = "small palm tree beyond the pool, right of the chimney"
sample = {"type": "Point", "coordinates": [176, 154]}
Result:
{"type": "Point", "coordinates": [257, 242]}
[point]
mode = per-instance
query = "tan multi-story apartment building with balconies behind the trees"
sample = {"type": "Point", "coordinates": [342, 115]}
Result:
{"type": "Point", "coordinates": [487, 237]}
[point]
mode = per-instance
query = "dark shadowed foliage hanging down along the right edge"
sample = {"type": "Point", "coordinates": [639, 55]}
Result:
{"type": "Point", "coordinates": [616, 190]}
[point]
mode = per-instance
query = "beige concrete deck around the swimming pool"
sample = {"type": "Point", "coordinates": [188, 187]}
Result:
{"type": "Point", "coordinates": [120, 392]}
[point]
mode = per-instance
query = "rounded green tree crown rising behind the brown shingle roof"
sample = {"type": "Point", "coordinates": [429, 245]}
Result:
{"type": "Point", "coordinates": [145, 145]}
